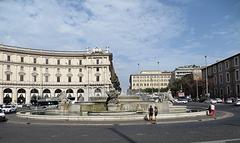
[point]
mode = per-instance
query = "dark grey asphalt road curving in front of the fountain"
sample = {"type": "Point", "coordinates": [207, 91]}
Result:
{"type": "Point", "coordinates": [224, 130]}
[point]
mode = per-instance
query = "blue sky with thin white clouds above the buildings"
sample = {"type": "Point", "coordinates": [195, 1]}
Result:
{"type": "Point", "coordinates": [145, 32]}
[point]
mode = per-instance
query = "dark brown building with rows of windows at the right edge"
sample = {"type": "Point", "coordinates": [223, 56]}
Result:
{"type": "Point", "coordinates": [223, 78]}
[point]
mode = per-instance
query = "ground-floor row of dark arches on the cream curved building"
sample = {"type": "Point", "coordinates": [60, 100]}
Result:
{"type": "Point", "coordinates": [23, 95]}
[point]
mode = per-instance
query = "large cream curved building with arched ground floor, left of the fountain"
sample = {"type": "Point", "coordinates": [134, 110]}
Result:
{"type": "Point", "coordinates": [27, 74]}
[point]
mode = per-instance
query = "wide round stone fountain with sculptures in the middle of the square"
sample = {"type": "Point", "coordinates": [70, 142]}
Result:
{"type": "Point", "coordinates": [111, 107]}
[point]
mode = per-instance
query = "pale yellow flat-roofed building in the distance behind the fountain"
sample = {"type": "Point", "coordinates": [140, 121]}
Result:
{"type": "Point", "coordinates": [149, 79]}
